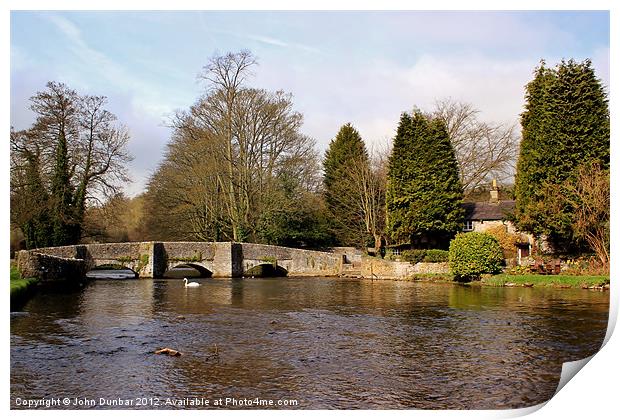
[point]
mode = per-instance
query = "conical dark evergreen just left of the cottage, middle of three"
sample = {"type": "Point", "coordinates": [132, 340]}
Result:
{"type": "Point", "coordinates": [424, 194]}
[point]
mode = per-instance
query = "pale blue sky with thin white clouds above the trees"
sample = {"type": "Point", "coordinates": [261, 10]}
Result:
{"type": "Point", "coordinates": [362, 67]}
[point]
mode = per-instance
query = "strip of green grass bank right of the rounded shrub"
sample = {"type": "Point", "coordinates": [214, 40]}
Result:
{"type": "Point", "coordinates": [539, 280]}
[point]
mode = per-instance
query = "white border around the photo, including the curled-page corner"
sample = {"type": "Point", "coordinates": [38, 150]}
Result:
{"type": "Point", "coordinates": [591, 395]}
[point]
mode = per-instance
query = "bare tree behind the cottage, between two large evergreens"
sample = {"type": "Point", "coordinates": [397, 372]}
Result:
{"type": "Point", "coordinates": [483, 151]}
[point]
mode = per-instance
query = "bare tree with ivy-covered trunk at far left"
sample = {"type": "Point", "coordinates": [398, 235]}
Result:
{"type": "Point", "coordinates": [75, 151]}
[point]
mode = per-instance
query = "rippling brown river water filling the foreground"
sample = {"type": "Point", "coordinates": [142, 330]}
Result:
{"type": "Point", "coordinates": [326, 342]}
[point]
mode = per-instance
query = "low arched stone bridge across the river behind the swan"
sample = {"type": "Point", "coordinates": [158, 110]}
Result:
{"type": "Point", "coordinates": [153, 259]}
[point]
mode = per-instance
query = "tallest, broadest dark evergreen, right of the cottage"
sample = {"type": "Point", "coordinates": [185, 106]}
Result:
{"type": "Point", "coordinates": [565, 125]}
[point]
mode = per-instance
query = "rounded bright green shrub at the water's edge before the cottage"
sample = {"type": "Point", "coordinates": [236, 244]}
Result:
{"type": "Point", "coordinates": [473, 254]}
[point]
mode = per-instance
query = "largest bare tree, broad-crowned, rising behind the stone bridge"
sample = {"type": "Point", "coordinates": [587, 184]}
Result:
{"type": "Point", "coordinates": [230, 155]}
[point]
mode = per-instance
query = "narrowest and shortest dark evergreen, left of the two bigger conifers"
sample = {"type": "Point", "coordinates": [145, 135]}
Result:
{"type": "Point", "coordinates": [345, 151]}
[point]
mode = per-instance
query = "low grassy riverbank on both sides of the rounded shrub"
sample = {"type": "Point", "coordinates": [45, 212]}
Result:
{"type": "Point", "coordinates": [525, 280]}
